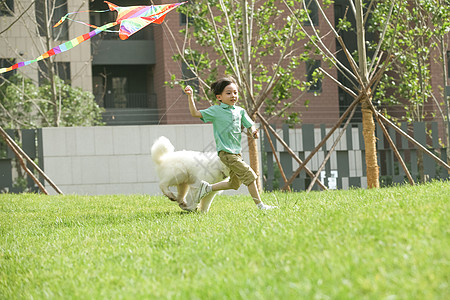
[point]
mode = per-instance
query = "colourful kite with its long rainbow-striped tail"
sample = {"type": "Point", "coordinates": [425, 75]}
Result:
{"type": "Point", "coordinates": [131, 20]}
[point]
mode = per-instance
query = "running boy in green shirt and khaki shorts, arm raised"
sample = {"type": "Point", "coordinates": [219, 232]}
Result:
{"type": "Point", "coordinates": [227, 120]}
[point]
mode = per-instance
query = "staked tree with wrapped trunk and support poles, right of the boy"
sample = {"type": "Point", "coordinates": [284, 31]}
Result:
{"type": "Point", "coordinates": [364, 76]}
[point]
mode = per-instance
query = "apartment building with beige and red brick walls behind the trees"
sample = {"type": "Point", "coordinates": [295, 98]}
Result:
{"type": "Point", "coordinates": [129, 77]}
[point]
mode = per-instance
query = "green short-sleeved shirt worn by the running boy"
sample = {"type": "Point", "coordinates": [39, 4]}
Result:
{"type": "Point", "coordinates": [227, 121]}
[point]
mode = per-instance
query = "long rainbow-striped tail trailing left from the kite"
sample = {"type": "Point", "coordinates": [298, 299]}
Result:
{"type": "Point", "coordinates": [61, 48]}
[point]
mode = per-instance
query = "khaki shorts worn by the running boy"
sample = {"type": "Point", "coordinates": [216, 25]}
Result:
{"type": "Point", "coordinates": [240, 172]}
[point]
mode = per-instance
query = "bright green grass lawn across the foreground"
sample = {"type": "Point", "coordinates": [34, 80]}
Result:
{"type": "Point", "coordinates": [390, 243]}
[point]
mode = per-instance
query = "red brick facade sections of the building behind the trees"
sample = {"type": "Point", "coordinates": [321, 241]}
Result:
{"type": "Point", "coordinates": [323, 108]}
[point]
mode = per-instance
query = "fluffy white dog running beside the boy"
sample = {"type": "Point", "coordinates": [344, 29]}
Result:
{"type": "Point", "coordinates": [185, 170]}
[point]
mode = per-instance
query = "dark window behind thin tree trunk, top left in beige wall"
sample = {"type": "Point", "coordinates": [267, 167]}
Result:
{"type": "Point", "coordinates": [48, 13]}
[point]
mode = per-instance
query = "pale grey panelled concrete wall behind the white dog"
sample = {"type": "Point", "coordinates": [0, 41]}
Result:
{"type": "Point", "coordinates": [113, 159]}
